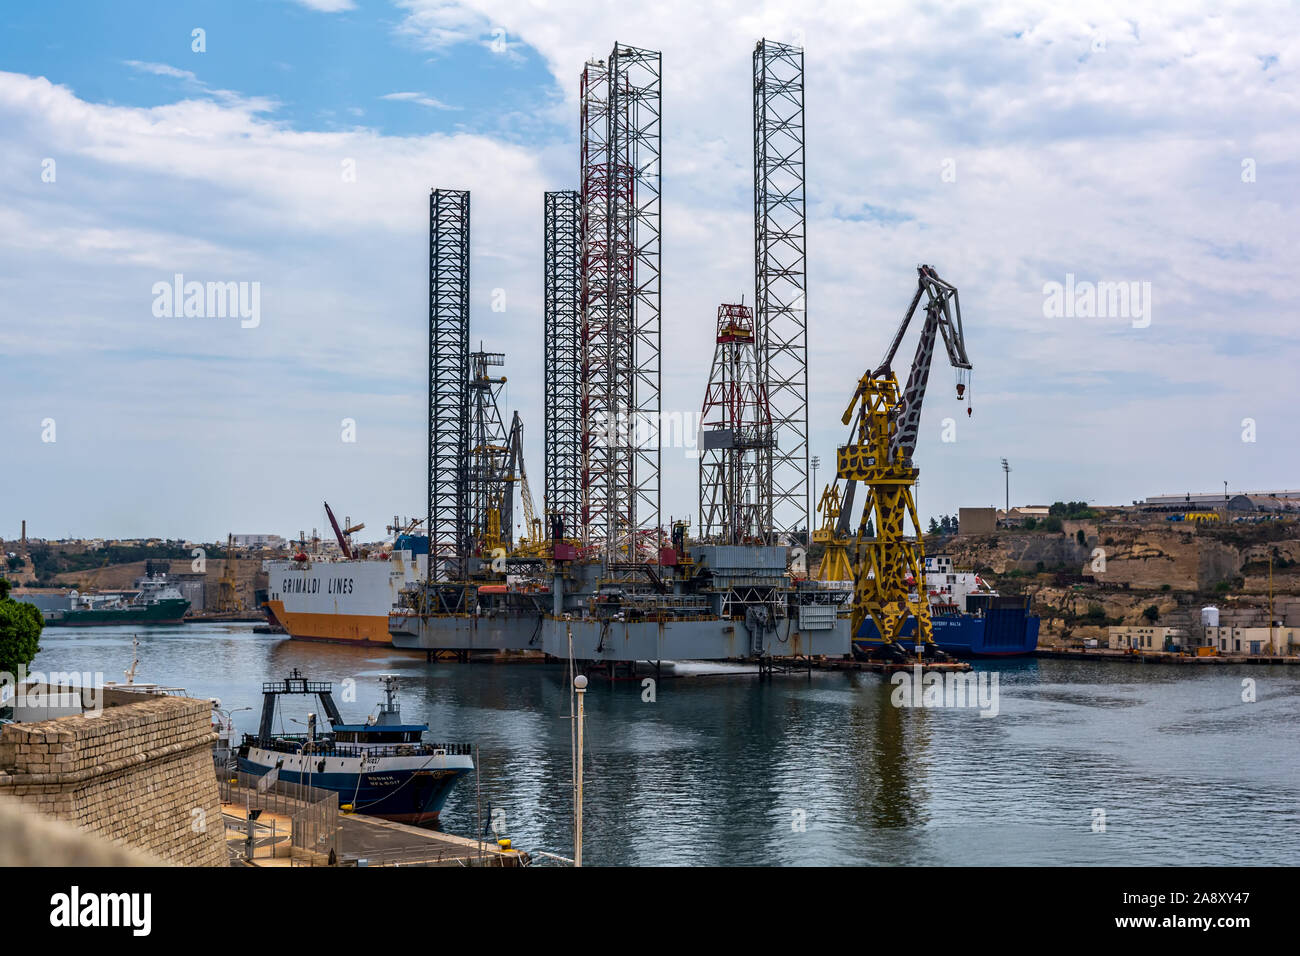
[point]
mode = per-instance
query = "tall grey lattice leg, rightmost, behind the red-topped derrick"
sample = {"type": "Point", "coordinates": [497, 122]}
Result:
{"type": "Point", "coordinates": [781, 278]}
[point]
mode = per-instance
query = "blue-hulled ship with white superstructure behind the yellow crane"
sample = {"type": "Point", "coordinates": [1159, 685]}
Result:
{"type": "Point", "coordinates": [969, 617]}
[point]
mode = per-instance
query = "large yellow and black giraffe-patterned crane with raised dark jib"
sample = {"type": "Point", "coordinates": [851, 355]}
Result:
{"type": "Point", "coordinates": [889, 570]}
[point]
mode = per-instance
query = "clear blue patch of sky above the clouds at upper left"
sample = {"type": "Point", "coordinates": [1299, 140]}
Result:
{"type": "Point", "coordinates": [322, 72]}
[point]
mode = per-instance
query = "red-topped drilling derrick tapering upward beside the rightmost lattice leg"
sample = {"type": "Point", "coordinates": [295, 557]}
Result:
{"type": "Point", "coordinates": [736, 435]}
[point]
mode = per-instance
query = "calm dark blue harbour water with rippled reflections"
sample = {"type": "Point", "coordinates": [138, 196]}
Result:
{"type": "Point", "coordinates": [720, 769]}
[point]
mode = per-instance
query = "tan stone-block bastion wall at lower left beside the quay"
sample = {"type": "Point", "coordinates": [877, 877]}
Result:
{"type": "Point", "coordinates": [140, 775]}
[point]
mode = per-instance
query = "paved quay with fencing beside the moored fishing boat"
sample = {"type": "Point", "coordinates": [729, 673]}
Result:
{"type": "Point", "coordinates": [302, 827]}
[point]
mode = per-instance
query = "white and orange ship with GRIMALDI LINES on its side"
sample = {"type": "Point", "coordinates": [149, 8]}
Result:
{"type": "Point", "coordinates": [348, 600]}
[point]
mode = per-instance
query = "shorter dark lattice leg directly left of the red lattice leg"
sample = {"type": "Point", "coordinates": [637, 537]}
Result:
{"type": "Point", "coordinates": [562, 293]}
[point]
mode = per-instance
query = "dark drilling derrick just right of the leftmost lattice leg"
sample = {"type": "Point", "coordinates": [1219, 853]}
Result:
{"type": "Point", "coordinates": [491, 487]}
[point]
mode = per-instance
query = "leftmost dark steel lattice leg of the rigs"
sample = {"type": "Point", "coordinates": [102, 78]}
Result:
{"type": "Point", "coordinates": [449, 362]}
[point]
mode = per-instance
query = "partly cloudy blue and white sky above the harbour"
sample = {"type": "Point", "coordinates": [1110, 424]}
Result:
{"type": "Point", "coordinates": [293, 144]}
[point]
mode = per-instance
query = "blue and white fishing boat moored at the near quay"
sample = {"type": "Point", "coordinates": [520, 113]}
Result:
{"type": "Point", "coordinates": [383, 768]}
